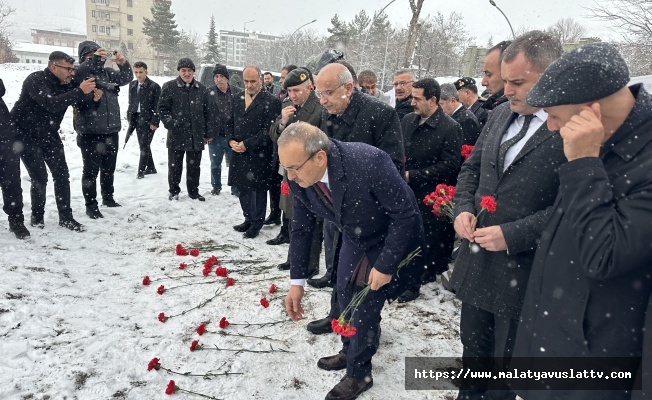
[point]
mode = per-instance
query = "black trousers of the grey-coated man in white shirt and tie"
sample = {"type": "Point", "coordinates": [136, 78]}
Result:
{"type": "Point", "coordinates": [485, 337]}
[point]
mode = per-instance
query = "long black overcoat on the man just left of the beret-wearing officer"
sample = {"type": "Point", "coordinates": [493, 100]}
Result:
{"type": "Point", "coordinates": [252, 169]}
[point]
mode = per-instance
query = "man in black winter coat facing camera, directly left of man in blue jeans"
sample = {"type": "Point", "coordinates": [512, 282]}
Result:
{"type": "Point", "coordinates": [188, 112]}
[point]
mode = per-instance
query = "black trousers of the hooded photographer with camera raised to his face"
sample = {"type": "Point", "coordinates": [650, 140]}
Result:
{"type": "Point", "coordinates": [99, 154]}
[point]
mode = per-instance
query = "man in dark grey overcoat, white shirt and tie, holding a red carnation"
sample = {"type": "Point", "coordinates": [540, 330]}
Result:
{"type": "Point", "coordinates": [515, 161]}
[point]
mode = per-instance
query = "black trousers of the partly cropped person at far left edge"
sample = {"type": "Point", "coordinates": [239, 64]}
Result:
{"type": "Point", "coordinates": [12, 192]}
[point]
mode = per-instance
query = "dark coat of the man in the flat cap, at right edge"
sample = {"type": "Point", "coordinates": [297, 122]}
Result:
{"type": "Point", "coordinates": [591, 279]}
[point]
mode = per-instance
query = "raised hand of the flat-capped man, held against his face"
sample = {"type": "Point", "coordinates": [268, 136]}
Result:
{"type": "Point", "coordinates": [583, 134]}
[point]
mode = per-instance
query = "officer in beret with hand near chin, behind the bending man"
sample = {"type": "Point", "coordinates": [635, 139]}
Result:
{"type": "Point", "coordinates": [301, 104]}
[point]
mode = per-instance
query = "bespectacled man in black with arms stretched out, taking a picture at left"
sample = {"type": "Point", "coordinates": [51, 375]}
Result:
{"type": "Point", "coordinates": [43, 101]}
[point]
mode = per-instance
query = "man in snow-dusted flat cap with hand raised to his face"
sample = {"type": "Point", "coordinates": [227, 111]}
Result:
{"type": "Point", "coordinates": [590, 283]}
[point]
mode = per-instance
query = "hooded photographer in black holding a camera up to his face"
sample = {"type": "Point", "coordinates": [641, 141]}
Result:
{"type": "Point", "coordinates": [97, 125]}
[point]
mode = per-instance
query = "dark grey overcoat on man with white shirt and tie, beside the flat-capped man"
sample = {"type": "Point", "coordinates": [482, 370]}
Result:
{"type": "Point", "coordinates": [525, 192]}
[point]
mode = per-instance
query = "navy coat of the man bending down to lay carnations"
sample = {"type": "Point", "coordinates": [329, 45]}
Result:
{"type": "Point", "coordinates": [373, 207]}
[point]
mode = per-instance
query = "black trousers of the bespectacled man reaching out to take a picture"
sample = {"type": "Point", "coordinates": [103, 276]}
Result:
{"type": "Point", "coordinates": [36, 155]}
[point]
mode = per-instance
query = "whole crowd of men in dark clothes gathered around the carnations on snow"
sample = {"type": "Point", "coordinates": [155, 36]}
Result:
{"type": "Point", "coordinates": [562, 144]}
